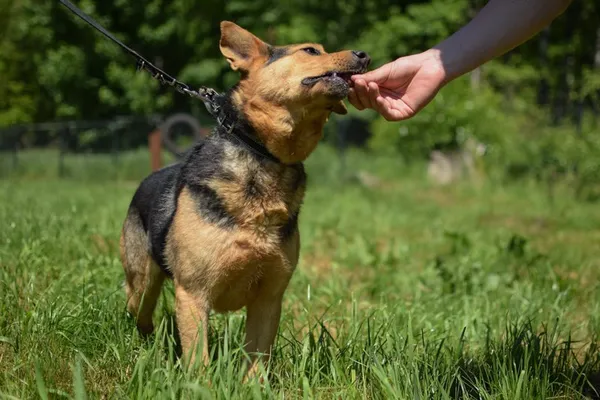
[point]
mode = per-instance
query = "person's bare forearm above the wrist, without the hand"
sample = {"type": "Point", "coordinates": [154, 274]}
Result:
{"type": "Point", "coordinates": [499, 27]}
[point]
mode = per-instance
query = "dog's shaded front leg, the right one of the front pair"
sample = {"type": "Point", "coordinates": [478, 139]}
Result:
{"type": "Point", "coordinates": [262, 322]}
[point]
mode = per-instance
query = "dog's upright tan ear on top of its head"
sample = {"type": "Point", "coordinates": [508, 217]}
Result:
{"type": "Point", "coordinates": [240, 47]}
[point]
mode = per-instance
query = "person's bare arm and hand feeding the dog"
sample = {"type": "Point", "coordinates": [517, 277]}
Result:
{"type": "Point", "coordinates": [400, 89]}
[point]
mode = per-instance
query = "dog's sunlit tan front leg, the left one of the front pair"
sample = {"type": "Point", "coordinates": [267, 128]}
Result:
{"type": "Point", "coordinates": [192, 311]}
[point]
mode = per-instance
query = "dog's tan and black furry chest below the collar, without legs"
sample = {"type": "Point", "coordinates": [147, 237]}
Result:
{"type": "Point", "coordinates": [235, 233]}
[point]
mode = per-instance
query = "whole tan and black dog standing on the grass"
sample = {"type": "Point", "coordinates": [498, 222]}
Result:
{"type": "Point", "coordinates": [223, 223]}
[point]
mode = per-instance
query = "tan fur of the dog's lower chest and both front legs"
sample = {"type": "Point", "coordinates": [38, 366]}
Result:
{"type": "Point", "coordinates": [225, 271]}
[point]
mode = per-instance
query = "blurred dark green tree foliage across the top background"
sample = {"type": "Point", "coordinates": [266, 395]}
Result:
{"type": "Point", "coordinates": [55, 66]}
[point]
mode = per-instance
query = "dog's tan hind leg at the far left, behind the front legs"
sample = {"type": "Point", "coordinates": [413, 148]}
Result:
{"type": "Point", "coordinates": [143, 278]}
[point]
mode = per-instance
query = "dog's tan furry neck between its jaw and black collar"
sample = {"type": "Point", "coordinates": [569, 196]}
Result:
{"type": "Point", "coordinates": [289, 137]}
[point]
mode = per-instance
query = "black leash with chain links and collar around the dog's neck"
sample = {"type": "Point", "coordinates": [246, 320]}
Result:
{"type": "Point", "coordinates": [208, 95]}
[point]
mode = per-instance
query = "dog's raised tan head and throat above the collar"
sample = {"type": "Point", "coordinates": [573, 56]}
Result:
{"type": "Point", "coordinates": [287, 93]}
